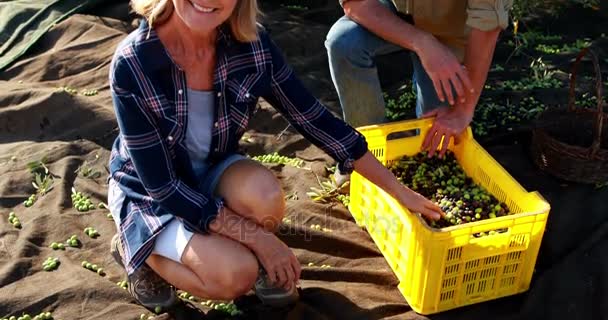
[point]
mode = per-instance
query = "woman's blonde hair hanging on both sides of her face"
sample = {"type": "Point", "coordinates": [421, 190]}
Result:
{"type": "Point", "coordinates": [242, 22]}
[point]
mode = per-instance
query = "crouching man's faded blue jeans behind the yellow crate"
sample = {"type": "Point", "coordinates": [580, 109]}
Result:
{"type": "Point", "coordinates": [351, 49]}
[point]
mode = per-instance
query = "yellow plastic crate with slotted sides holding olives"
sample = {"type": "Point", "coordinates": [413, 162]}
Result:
{"type": "Point", "coordinates": [448, 268]}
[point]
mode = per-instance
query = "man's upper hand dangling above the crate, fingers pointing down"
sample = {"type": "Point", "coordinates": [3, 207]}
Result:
{"type": "Point", "coordinates": [444, 69]}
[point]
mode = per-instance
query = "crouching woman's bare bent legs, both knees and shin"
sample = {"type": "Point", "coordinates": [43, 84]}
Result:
{"type": "Point", "coordinates": [216, 267]}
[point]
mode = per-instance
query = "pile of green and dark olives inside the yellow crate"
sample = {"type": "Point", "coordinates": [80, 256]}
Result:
{"type": "Point", "coordinates": [444, 182]}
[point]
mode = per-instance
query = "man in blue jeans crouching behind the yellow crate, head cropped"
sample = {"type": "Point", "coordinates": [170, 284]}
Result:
{"type": "Point", "coordinates": [451, 43]}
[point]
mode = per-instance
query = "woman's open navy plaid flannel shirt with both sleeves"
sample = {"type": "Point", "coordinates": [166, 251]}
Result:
{"type": "Point", "coordinates": [149, 161]}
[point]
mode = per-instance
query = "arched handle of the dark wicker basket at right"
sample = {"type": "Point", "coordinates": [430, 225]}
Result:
{"type": "Point", "coordinates": [599, 121]}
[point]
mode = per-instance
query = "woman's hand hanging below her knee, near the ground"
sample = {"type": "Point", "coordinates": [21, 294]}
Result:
{"type": "Point", "coordinates": [281, 265]}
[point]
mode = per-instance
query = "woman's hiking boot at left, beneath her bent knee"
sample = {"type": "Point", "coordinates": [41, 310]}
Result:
{"type": "Point", "coordinates": [145, 285]}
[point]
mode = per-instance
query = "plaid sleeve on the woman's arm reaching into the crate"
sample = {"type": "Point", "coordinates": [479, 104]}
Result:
{"type": "Point", "coordinates": [309, 117]}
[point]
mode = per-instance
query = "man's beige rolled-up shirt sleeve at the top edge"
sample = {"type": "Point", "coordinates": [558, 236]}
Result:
{"type": "Point", "coordinates": [487, 15]}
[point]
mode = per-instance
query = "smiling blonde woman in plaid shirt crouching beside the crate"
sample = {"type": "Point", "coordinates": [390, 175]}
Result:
{"type": "Point", "coordinates": [191, 212]}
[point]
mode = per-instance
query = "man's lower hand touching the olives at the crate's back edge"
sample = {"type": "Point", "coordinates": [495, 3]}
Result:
{"type": "Point", "coordinates": [449, 123]}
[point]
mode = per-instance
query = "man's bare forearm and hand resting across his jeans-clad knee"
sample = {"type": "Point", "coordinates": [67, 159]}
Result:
{"type": "Point", "coordinates": [440, 63]}
